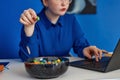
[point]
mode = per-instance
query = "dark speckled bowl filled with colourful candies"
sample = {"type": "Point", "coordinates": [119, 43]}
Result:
{"type": "Point", "coordinates": [46, 67]}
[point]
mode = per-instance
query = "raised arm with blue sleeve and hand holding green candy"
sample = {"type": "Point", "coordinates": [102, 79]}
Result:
{"type": "Point", "coordinates": [28, 44]}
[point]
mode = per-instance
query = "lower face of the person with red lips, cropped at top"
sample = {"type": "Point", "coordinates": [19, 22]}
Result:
{"type": "Point", "coordinates": [57, 7]}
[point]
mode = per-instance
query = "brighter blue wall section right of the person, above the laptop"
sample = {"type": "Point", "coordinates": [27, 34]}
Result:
{"type": "Point", "coordinates": [103, 28]}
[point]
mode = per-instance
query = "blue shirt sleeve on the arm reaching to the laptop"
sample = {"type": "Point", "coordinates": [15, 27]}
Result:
{"type": "Point", "coordinates": [80, 42]}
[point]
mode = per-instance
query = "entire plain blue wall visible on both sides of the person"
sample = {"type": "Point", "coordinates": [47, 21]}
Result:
{"type": "Point", "coordinates": [102, 29]}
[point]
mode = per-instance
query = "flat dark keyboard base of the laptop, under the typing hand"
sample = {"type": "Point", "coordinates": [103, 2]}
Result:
{"type": "Point", "coordinates": [92, 64]}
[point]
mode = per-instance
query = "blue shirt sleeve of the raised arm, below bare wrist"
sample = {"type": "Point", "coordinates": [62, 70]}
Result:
{"type": "Point", "coordinates": [28, 46]}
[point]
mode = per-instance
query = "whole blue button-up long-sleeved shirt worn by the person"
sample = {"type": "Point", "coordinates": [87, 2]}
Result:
{"type": "Point", "coordinates": [53, 39]}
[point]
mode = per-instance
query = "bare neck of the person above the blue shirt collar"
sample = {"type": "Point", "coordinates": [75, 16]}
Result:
{"type": "Point", "coordinates": [53, 18]}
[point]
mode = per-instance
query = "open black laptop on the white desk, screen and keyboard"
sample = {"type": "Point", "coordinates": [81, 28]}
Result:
{"type": "Point", "coordinates": [106, 64]}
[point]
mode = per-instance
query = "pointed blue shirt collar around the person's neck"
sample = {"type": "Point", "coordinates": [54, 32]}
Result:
{"type": "Point", "coordinates": [46, 21]}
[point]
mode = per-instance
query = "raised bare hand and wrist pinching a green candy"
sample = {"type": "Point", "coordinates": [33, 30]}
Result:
{"type": "Point", "coordinates": [28, 19]}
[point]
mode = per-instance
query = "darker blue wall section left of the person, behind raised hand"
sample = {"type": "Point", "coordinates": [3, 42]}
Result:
{"type": "Point", "coordinates": [10, 26]}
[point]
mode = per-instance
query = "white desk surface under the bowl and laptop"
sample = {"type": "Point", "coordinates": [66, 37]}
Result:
{"type": "Point", "coordinates": [17, 71]}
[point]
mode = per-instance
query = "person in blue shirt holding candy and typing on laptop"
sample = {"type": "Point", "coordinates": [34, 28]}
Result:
{"type": "Point", "coordinates": [54, 34]}
